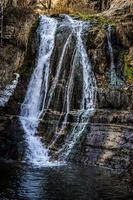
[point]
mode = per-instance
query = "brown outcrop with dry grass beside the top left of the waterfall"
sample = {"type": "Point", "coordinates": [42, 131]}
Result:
{"type": "Point", "coordinates": [18, 24]}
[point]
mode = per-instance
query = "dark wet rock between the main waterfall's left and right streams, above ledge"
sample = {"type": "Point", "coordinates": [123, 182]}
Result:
{"type": "Point", "coordinates": [58, 102]}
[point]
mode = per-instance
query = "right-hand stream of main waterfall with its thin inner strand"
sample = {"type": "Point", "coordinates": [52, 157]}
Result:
{"type": "Point", "coordinates": [78, 29]}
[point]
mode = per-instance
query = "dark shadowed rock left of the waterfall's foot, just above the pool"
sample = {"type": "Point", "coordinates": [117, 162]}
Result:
{"type": "Point", "coordinates": [11, 138]}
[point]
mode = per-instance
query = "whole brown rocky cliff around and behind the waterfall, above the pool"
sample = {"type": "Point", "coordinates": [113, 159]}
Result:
{"type": "Point", "coordinates": [108, 139]}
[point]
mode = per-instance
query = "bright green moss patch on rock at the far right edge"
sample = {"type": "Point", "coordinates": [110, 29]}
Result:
{"type": "Point", "coordinates": [129, 72]}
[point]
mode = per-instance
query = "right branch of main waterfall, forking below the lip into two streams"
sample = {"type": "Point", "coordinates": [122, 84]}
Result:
{"type": "Point", "coordinates": [89, 89]}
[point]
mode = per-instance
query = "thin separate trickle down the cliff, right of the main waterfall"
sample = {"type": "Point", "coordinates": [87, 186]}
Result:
{"type": "Point", "coordinates": [114, 79]}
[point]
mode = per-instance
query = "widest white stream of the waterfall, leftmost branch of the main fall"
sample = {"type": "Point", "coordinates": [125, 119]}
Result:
{"type": "Point", "coordinates": [34, 102]}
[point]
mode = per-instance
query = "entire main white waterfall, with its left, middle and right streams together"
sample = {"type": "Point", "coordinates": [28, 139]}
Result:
{"type": "Point", "coordinates": [40, 92]}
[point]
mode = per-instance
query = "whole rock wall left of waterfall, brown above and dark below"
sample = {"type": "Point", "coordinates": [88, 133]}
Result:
{"type": "Point", "coordinates": [15, 55]}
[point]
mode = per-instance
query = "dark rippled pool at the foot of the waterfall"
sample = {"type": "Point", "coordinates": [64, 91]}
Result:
{"type": "Point", "coordinates": [19, 182]}
